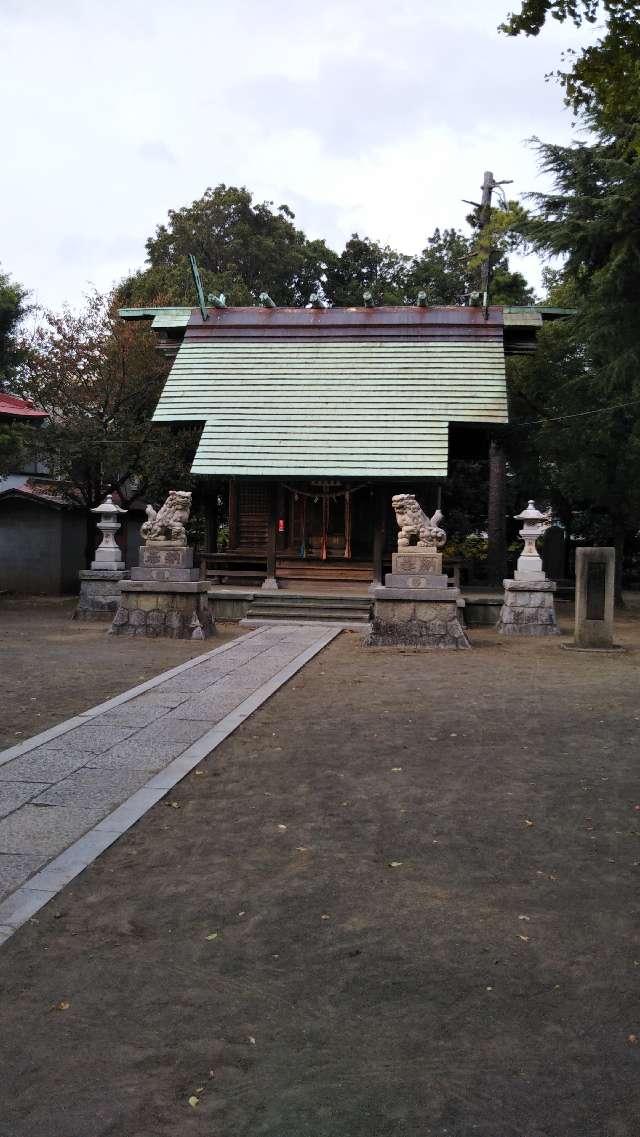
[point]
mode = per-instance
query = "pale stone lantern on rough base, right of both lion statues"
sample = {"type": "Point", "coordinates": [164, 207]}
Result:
{"type": "Point", "coordinates": [528, 608]}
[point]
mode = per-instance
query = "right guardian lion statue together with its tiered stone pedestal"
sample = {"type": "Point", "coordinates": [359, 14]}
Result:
{"type": "Point", "coordinates": [417, 607]}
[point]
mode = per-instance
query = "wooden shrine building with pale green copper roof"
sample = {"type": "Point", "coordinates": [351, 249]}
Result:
{"type": "Point", "coordinates": [314, 418]}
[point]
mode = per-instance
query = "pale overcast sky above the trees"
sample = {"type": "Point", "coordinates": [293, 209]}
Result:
{"type": "Point", "coordinates": [376, 118]}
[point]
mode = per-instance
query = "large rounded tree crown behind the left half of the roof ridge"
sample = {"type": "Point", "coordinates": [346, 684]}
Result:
{"type": "Point", "coordinates": [243, 250]}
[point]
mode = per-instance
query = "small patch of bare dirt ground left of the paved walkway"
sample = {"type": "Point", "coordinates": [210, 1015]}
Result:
{"type": "Point", "coordinates": [53, 667]}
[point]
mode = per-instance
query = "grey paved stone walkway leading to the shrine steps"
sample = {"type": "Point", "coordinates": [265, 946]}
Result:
{"type": "Point", "coordinates": [71, 792]}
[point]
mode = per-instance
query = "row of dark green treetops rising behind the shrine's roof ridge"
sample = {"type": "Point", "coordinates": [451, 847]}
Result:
{"type": "Point", "coordinates": [244, 250]}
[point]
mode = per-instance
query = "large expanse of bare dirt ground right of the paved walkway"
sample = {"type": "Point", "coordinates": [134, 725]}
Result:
{"type": "Point", "coordinates": [401, 901]}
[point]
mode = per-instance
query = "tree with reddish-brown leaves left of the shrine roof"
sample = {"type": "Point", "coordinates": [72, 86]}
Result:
{"type": "Point", "coordinates": [99, 379]}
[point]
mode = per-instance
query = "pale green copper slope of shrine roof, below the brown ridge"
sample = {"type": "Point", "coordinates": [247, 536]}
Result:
{"type": "Point", "coordinates": [311, 409]}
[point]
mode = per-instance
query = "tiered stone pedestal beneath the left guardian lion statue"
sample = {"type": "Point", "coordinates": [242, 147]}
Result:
{"type": "Point", "coordinates": [164, 596]}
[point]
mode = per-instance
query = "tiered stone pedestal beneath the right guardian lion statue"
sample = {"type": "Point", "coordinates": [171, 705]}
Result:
{"type": "Point", "coordinates": [417, 608]}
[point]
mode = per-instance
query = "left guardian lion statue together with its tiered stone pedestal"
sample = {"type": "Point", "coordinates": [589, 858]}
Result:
{"type": "Point", "coordinates": [164, 596]}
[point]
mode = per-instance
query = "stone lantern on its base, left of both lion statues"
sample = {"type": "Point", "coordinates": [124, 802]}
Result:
{"type": "Point", "coordinates": [101, 586]}
